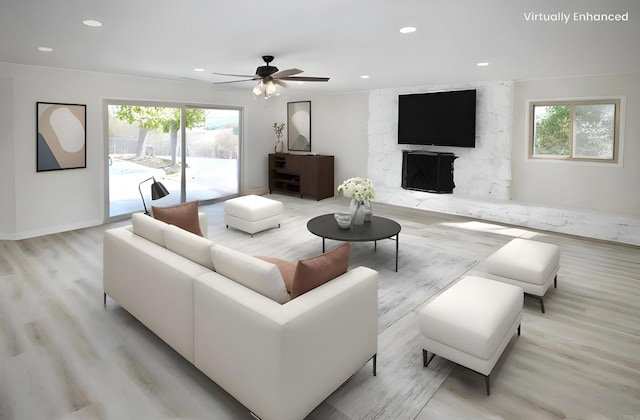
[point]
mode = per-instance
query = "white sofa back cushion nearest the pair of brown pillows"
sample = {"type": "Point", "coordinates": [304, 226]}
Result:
{"type": "Point", "coordinates": [258, 275]}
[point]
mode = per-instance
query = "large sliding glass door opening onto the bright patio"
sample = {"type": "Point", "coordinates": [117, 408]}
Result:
{"type": "Point", "coordinates": [192, 151]}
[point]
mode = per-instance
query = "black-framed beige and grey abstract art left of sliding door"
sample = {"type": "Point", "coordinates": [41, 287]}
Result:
{"type": "Point", "coordinates": [61, 140]}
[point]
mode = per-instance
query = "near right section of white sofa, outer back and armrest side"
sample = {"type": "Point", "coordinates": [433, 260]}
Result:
{"type": "Point", "coordinates": [281, 361]}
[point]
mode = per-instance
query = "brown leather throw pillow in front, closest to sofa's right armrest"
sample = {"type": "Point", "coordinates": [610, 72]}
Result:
{"type": "Point", "coordinates": [313, 272]}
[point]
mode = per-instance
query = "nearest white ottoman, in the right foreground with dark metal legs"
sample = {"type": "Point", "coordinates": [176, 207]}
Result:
{"type": "Point", "coordinates": [471, 323]}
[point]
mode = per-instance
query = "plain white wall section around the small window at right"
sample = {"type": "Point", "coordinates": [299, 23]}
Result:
{"type": "Point", "coordinates": [602, 187]}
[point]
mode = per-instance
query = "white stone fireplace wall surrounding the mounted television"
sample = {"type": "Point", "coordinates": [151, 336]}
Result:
{"type": "Point", "coordinates": [482, 172]}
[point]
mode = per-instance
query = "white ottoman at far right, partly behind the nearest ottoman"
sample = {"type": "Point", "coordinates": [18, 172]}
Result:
{"type": "Point", "coordinates": [531, 265]}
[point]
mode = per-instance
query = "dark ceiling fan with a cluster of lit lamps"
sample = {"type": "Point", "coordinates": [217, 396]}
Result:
{"type": "Point", "coordinates": [269, 76]}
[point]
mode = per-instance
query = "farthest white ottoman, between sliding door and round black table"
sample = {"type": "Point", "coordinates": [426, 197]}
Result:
{"type": "Point", "coordinates": [252, 213]}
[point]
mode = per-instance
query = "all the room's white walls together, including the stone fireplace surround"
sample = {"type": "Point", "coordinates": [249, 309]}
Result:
{"type": "Point", "coordinates": [357, 128]}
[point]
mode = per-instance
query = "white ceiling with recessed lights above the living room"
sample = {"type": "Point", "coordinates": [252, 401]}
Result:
{"type": "Point", "coordinates": [340, 39]}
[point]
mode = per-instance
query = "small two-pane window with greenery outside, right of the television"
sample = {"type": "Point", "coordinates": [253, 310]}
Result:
{"type": "Point", "coordinates": [575, 130]}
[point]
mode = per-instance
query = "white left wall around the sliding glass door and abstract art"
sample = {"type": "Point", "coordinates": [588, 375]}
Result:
{"type": "Point", "coordinates": [55, 201]}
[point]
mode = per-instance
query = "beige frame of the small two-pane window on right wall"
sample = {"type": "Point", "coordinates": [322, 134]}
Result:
{"type": "Point", "coordinates": [617, 102]}
